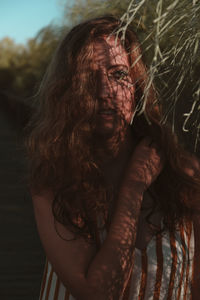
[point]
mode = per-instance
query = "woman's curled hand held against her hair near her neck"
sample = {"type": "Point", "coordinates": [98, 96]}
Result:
{"type": "Point", "coordinates": [146, 163]}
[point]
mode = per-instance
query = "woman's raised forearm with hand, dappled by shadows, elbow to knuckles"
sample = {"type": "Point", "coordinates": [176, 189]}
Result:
{"type": "Point", "coordinates": [111, 267]}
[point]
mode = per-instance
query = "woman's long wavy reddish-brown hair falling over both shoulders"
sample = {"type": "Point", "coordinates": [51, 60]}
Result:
{"type": "Point", "coordinates": [60, 139]}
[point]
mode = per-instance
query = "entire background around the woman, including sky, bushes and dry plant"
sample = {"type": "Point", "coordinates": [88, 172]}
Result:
{"type": "Point", "coordinates": [30, 31]}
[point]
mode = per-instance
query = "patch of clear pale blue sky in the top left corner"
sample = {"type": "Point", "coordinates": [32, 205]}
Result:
{"type": "Point", "coordinates": [22, 19]}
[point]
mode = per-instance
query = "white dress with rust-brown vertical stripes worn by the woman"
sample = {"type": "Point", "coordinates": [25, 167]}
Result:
{"type": "Point", "coordinates": [163, 270]}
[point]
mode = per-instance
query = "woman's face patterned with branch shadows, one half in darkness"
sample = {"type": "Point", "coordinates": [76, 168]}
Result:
{"type": "Point", "coordinates": [115, 89]}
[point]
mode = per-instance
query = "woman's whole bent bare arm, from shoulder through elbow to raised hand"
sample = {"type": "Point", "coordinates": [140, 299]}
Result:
{"type": "Point", "coordinates": [104, 274]}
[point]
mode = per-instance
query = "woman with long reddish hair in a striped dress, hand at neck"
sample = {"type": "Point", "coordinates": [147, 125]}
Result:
{"type": "Point", "coordinates": [115, 196]}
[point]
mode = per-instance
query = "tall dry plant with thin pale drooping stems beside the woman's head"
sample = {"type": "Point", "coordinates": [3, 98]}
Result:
{"type": "Point", "coordinates": [169, 33]}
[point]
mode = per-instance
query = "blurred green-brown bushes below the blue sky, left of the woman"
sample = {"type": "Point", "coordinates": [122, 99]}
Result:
{"type": "Point", "coordinates": [22, 66]}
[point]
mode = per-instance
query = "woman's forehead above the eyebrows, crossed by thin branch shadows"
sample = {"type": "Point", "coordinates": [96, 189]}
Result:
{"type": "Point", "coordinates": [109, 50]}
